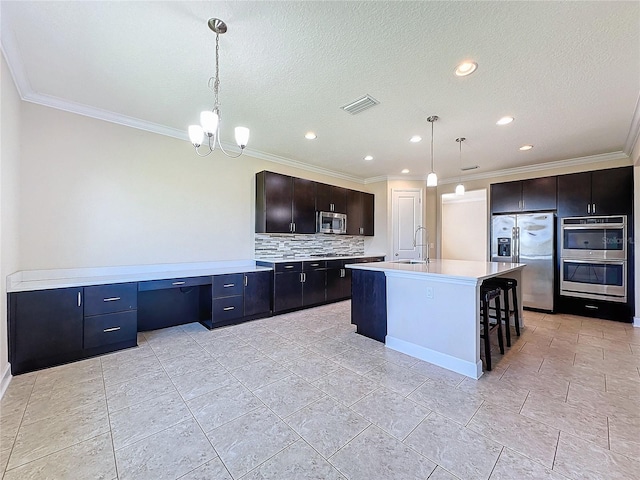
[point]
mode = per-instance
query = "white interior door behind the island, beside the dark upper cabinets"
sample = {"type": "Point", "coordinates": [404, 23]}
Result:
{"type": "Point", "coordinates": [406, 213]}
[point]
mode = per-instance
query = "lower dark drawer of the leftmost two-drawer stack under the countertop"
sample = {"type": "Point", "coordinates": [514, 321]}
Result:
{"type": "Point", "coordinates": [110, 328]}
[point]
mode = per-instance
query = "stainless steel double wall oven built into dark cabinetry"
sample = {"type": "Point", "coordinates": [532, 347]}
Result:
{"type": "Point", "coordinates": [593, 257]}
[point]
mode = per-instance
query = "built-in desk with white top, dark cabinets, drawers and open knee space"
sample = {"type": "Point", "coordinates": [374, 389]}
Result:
{"type": "Point", "coordinates": [58, 316]}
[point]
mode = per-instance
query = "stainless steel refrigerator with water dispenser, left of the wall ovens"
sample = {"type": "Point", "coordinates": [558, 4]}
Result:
{"type": "Point", "coordinates": [528, 238]}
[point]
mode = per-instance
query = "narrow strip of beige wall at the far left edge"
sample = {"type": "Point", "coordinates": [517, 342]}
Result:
{"type": "Point", "coordinates": [9, 207]}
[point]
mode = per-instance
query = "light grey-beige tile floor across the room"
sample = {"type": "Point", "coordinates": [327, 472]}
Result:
{"type": "Point", "coordinates": [301, 396]}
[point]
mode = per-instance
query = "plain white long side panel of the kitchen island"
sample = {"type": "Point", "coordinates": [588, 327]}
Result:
{"type": "Point", "coordinates": [436, 320]}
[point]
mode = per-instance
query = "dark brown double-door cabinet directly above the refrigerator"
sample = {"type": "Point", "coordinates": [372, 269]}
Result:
{"type": "Point", "coordinates": [529, 195]}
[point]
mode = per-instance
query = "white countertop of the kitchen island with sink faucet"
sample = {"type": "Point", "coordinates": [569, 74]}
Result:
{"type": "Point", "coordinates": [443, 268]}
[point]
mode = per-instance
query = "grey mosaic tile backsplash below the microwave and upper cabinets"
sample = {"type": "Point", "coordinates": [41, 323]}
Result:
{"type": "Point", "coordinates": [274, 245]}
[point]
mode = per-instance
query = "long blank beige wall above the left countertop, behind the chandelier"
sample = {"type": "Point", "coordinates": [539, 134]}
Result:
{"type": "Point", "coordinates": [94, 193]}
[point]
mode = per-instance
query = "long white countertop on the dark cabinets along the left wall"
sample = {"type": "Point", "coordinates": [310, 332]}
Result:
{"type": "Point", "coordinates": [29, 280]}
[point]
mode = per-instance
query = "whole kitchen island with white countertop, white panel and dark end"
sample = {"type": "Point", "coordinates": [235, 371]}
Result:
{"type": "Point", "coordinates": [431, 310]}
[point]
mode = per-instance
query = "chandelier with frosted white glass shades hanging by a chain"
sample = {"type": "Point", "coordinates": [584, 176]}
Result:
{"type": "Point", "coordinates": [210, 120]}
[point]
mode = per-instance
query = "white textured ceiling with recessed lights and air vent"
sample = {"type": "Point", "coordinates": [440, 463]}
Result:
{"type": "Point", "coordinates": [569, 72]}
